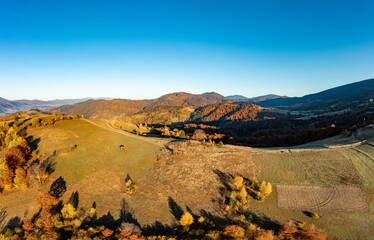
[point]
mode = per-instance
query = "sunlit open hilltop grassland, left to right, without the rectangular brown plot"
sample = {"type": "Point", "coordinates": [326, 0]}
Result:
{"type": "Point", "coordinates": [96, 169]}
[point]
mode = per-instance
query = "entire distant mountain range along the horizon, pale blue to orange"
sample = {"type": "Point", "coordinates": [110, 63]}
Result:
{"type": "Point", "coordinates": [180, 105]}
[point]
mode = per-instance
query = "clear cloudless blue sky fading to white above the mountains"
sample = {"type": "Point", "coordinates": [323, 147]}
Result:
{"type": "Point", "coordinates": [143, 49]}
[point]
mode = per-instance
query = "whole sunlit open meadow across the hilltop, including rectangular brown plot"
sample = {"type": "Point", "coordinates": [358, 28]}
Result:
{"type": "Point", "coordinates": [337, 183]}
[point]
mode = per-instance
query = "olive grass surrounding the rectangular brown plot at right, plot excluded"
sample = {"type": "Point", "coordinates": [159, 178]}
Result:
{"type": "Point", "coordinates": [318, 167]}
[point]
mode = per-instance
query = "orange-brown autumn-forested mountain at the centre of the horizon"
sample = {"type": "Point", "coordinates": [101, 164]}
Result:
{"type": "Point", "coordinates": [169, 106]}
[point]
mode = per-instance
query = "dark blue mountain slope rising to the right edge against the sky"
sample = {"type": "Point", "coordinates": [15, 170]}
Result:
{"type": "Point", "coordinates": [338, 98]}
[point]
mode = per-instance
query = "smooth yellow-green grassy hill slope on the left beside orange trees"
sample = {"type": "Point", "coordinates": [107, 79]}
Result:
{"type": "Point", "coordinates": [96, 168]}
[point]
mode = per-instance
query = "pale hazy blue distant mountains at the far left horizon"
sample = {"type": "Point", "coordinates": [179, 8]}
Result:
{"type": "Point", "coordinates": [7, 106]}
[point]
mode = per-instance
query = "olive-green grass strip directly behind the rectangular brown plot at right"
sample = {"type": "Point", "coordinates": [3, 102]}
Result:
{"type": "Point", "coordinates": [314, 167]}
